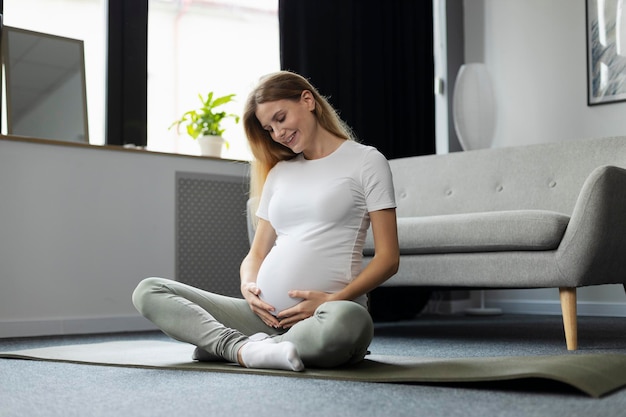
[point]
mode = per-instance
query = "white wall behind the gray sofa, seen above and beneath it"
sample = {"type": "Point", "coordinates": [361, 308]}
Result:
{"type": "Point", "coordinates": [535, 51]}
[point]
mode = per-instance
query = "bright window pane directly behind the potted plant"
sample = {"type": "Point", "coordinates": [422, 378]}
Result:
{"type": "Point", "coordinates": [197, 46]}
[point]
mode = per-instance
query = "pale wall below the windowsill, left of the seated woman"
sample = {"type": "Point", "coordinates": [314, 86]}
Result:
{"type": "Point", "coordinates": [79, 228]}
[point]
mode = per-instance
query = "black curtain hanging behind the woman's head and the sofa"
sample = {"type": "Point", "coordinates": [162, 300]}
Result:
{"type": "Point", "coordinates": [373, 60]}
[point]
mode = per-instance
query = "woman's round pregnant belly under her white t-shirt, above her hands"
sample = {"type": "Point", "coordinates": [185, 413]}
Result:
{"type": "Point", "coordinates": [294, 266]}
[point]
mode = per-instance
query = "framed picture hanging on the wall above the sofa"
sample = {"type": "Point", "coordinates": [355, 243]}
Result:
{"type": "Point", "coordinates": [606, 51]}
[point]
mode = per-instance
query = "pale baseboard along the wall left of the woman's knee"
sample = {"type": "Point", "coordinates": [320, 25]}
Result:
{"type": "Point", "coordinates": [68, 326]}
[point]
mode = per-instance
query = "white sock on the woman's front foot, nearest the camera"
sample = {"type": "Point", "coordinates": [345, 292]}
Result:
{"type": "Point", "coordinates": [268, 354]}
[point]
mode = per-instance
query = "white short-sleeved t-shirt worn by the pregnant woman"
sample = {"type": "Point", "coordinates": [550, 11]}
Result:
{"type": "Point", "coordinates": [320, 211]}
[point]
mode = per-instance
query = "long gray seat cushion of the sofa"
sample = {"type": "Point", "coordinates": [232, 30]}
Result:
{"type": "Point", "coordinates": [496, 231]}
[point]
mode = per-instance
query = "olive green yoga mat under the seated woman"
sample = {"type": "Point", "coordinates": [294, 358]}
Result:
{"type": "Point", "coordinates": [594, 374]}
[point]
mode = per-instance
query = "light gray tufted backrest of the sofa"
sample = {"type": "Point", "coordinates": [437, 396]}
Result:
{"type": "Point", "coordinates": [542, 177]}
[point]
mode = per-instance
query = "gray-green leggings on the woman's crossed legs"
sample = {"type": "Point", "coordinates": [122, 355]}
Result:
{"type": "Point", "coordinates": [338, 333]}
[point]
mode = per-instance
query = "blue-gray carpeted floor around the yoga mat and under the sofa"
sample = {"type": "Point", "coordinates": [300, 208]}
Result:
{"type": "Point", "coordinates": [54, 389]}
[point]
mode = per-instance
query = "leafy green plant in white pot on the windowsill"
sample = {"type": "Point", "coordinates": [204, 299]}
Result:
{"type": "Point", "coordinates": [204, 124]}
